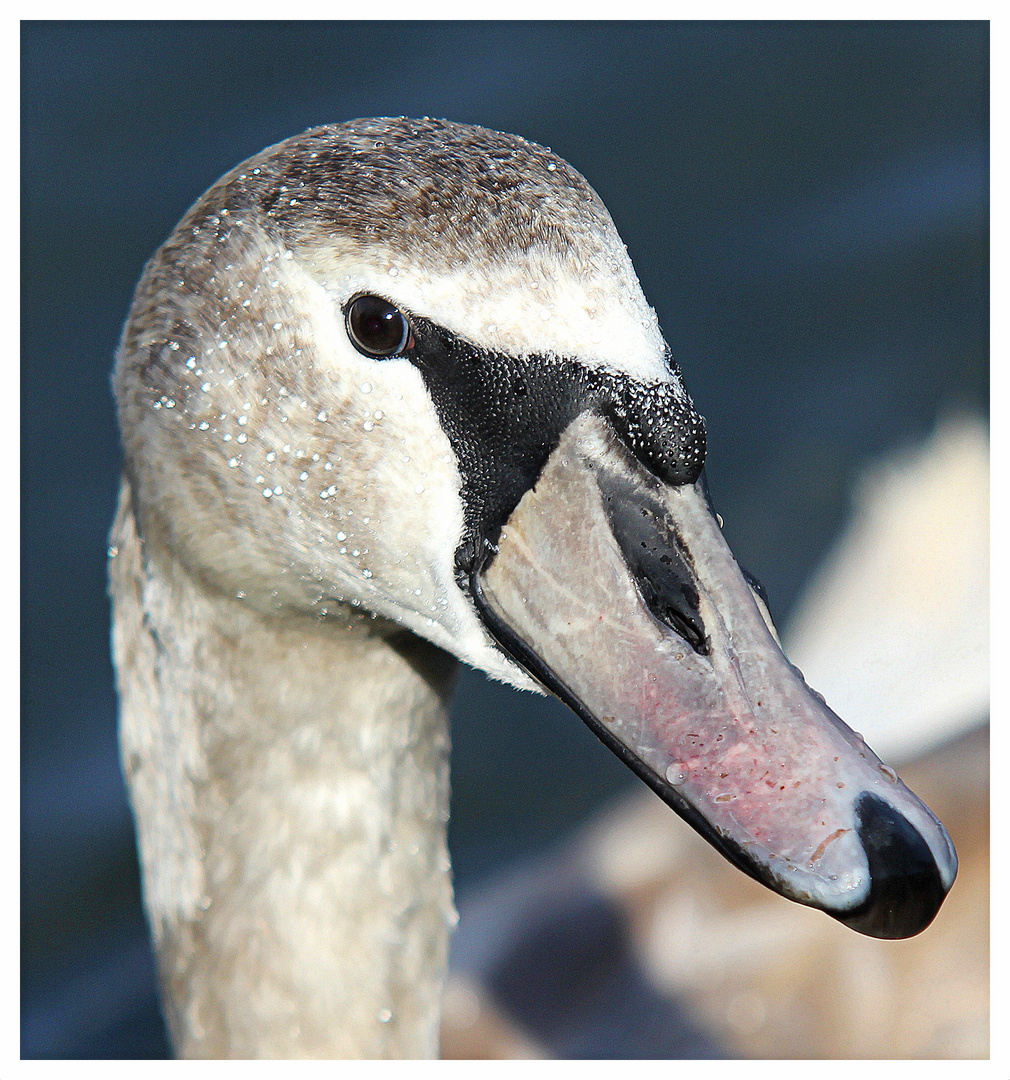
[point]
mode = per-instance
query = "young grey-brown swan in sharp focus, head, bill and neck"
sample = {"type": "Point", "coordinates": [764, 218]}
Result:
{"type": "Point", "coordinates": [390, 395]}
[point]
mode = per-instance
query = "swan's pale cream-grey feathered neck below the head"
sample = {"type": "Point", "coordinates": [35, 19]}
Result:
{"type": "Point", "coordinates": [290, 781]}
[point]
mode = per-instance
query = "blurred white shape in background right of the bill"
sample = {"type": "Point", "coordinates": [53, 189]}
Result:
{"type": "Point", "coordinates": [895, 628]}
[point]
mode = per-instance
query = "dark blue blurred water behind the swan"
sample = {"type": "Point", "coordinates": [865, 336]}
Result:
{"type": "Point", "coordinates": [805, 205]}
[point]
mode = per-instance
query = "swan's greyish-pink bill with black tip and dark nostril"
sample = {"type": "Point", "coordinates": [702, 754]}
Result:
{"type": "Point", "coordinates": [618, 593]}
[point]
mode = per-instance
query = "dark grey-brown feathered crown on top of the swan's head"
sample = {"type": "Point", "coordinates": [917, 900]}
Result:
{"type": "Point", "coordinates": [421, 186]}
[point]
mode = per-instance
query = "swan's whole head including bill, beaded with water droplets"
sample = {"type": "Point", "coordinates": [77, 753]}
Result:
{"type": "Point", "coordinates": [407, 369]}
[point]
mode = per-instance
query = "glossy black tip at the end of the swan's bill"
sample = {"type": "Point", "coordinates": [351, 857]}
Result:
{"type": "Point", "coordinates": [906, 885]}
